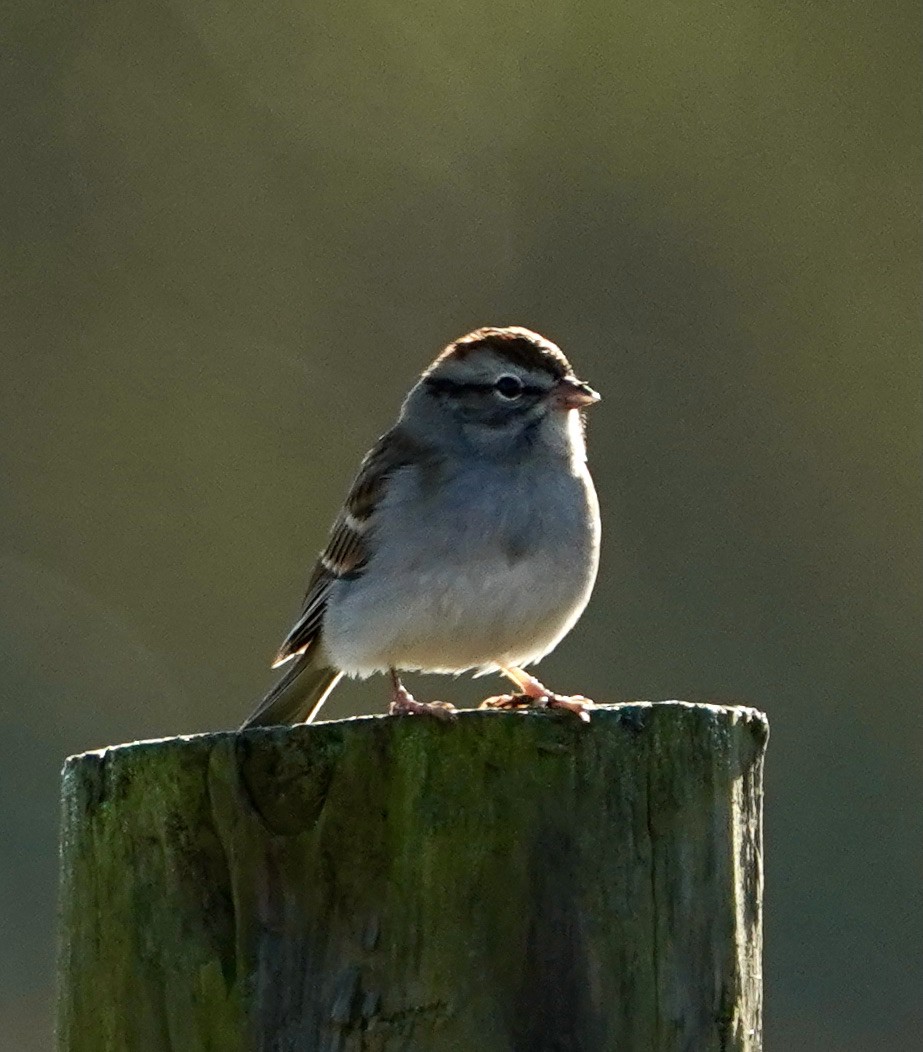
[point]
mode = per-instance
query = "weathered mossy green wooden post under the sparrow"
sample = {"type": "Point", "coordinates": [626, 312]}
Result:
{"type": "Point", "coordinates": [508, 883]}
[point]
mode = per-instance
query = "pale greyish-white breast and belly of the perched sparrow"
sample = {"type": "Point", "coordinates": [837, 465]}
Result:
{"type": "Point", "coordinates": [467, 575]}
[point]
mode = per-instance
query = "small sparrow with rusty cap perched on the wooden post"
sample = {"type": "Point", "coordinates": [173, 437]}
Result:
{"type": "Point", "coordinates": [469, 542]}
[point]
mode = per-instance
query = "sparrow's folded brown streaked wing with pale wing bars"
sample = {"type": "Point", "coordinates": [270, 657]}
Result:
{"type": "Point", "coordinates": [347, 554]}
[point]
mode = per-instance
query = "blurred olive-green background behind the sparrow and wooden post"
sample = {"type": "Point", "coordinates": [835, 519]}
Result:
{"type": "Point", "coordinates": [235, 233]}
